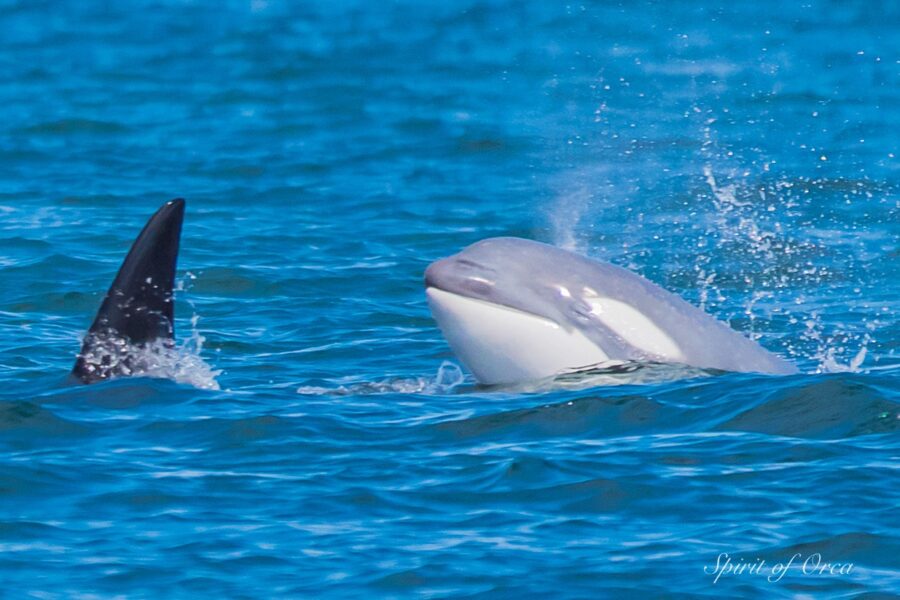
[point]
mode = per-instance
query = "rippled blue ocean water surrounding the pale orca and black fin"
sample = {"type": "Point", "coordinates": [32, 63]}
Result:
{"type": "Point", "coordinates": [316, 438]}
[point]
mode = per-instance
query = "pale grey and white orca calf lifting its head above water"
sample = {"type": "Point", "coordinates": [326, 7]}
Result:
{"type": "Point", "coordinates": [515, 310]}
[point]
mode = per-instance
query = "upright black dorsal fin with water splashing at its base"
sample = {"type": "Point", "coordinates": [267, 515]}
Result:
{"type": "Point", "coordinates": [138, 308]}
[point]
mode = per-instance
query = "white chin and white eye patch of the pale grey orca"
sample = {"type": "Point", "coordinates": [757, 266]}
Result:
{"type": "Point", "coordinates": [504, 345]}
